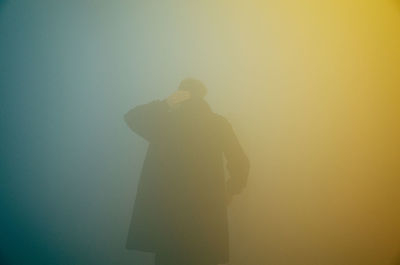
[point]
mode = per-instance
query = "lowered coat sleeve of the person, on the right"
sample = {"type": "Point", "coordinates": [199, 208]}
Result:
{"type": "Point", "coordinates": [238, 164]}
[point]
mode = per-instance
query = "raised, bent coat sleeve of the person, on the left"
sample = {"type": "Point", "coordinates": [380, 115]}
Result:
{"type": "Point", "coordinates": [148, 120]}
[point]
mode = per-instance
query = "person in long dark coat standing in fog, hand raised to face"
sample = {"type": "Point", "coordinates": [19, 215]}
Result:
{"type": "Point", "coordinates": [180, 210]}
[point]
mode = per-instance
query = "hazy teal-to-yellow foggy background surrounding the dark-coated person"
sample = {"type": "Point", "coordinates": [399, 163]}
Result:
{"type": "Point", "coordinates": [312, 89]}
